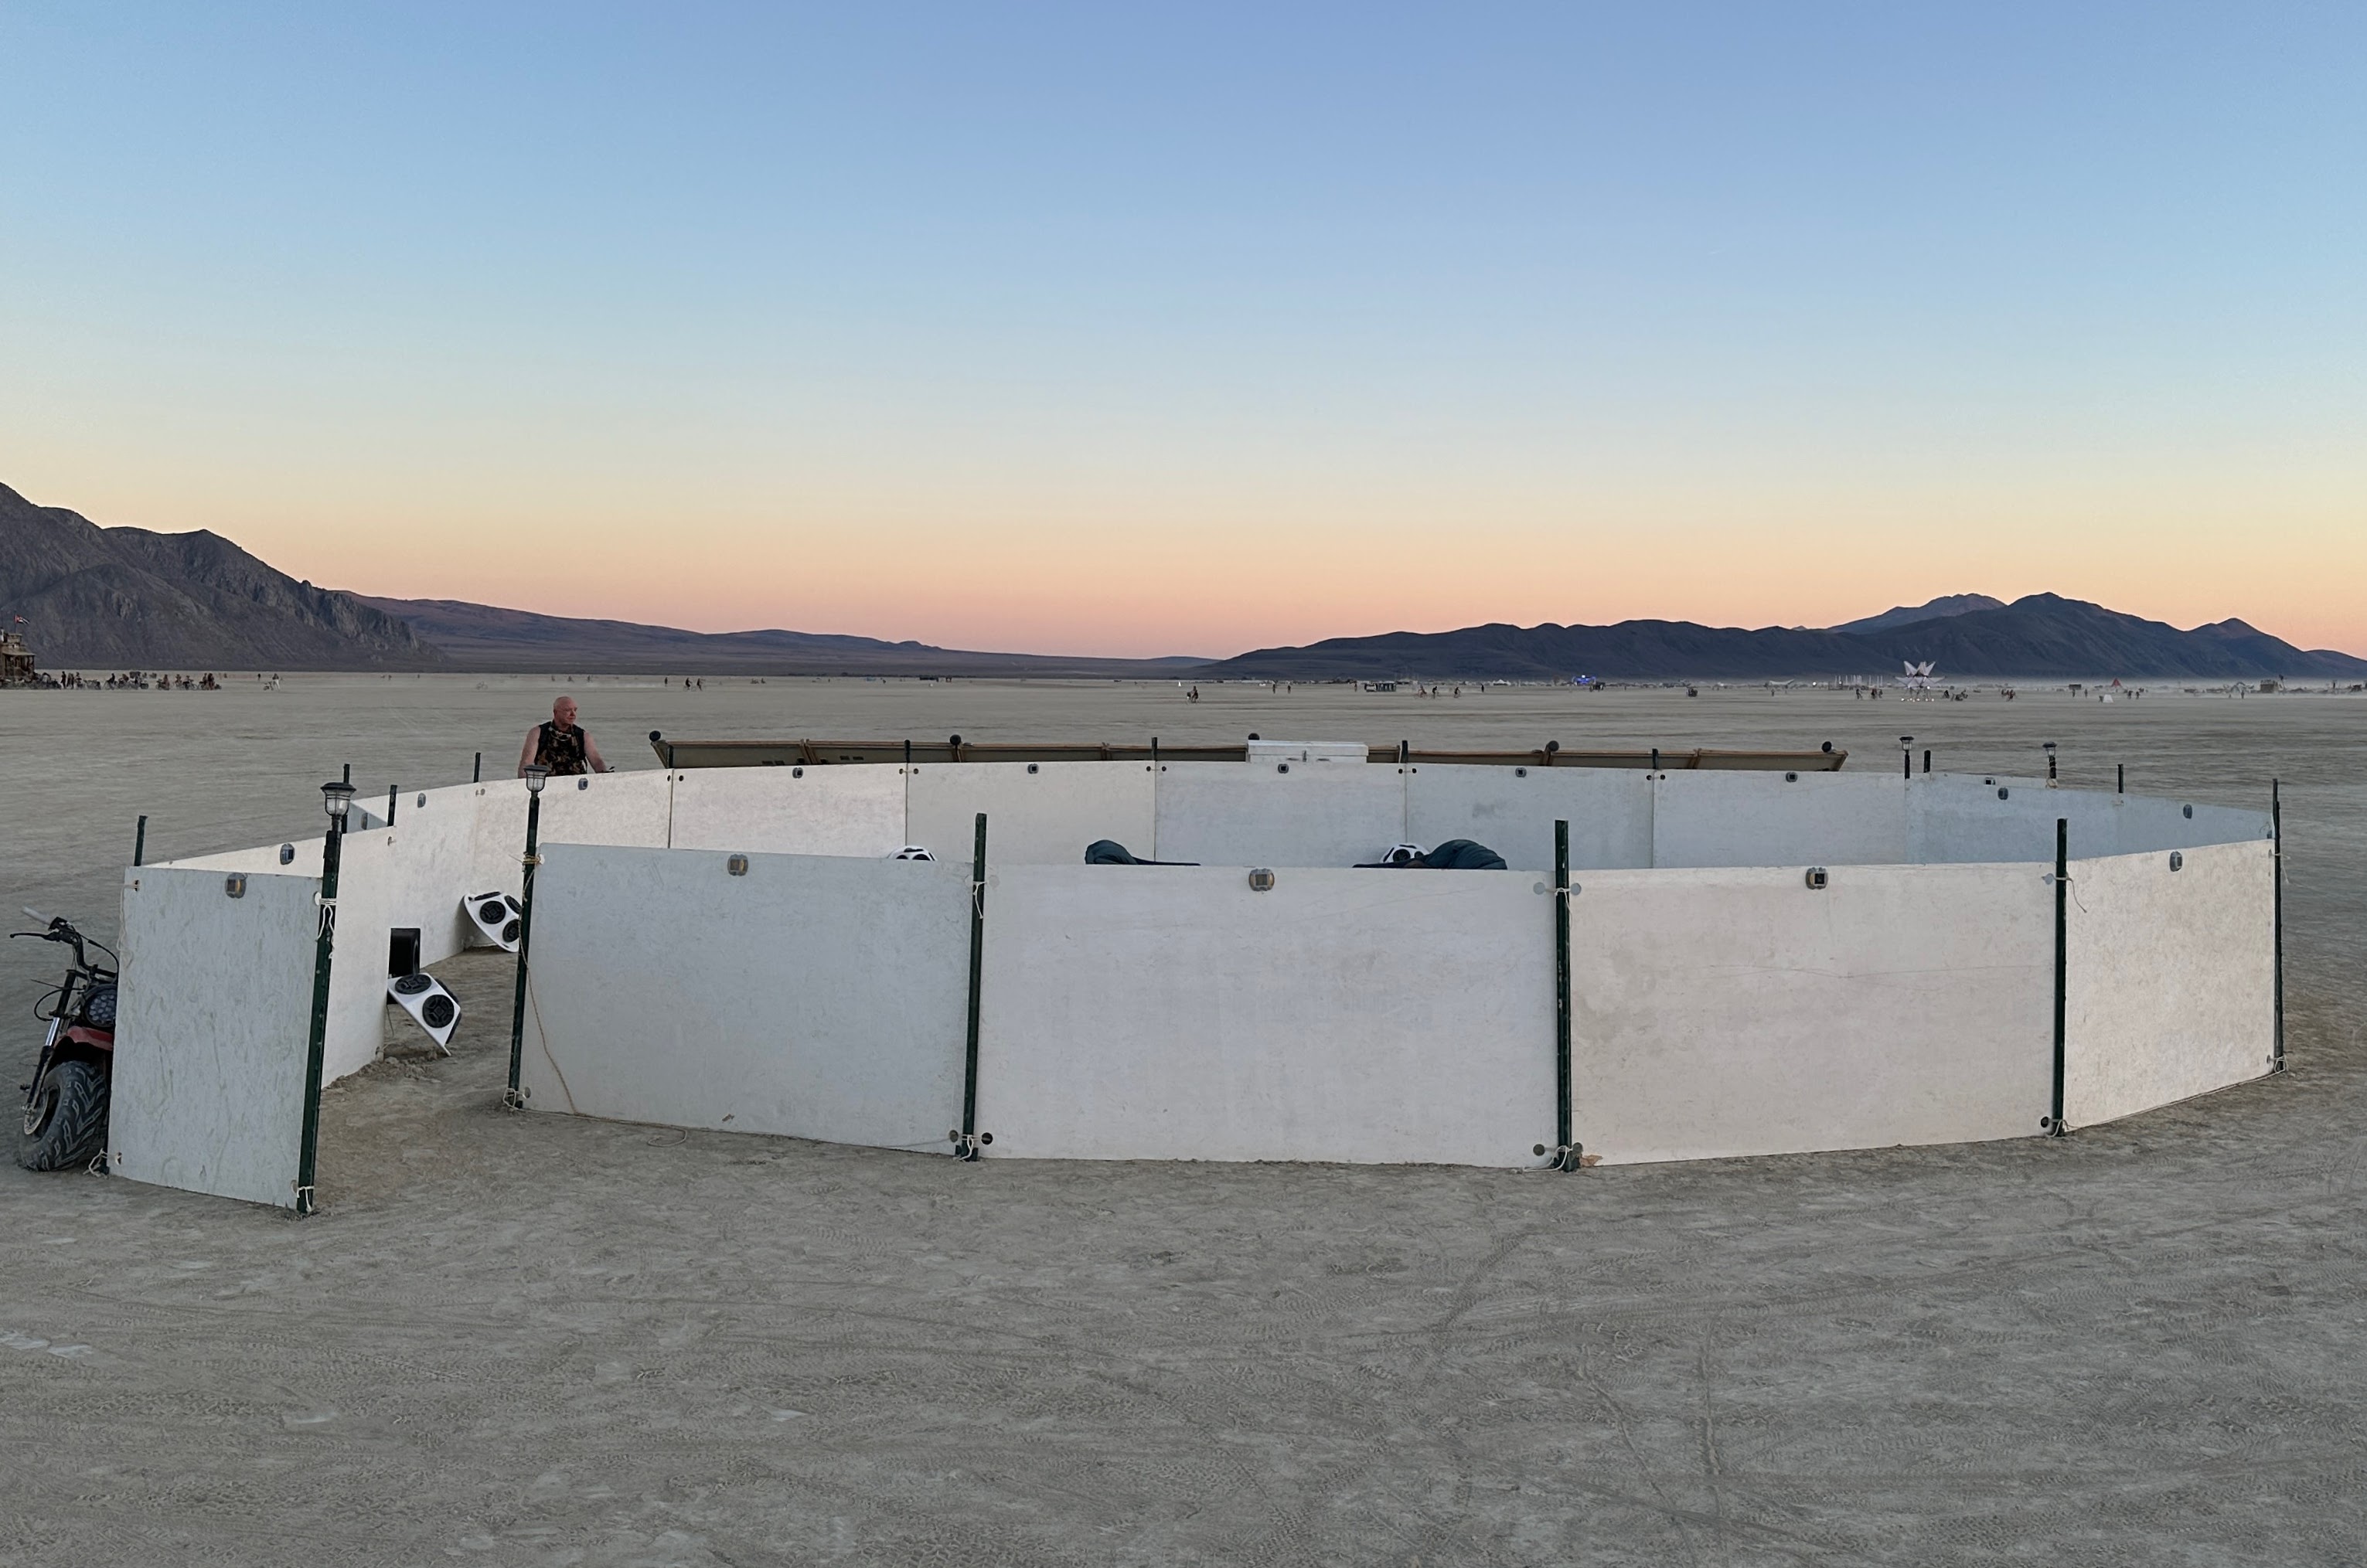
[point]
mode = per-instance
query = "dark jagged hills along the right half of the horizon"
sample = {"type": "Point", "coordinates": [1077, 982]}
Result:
{"type": "Point", "coordinates": [2027, 640]}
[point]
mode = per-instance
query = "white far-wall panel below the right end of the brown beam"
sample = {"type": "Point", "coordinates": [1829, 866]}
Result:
{"type": "Point", "coordinates": [1776, 819]}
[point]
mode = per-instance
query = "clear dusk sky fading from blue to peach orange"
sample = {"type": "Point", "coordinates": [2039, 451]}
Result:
{"type": "Point", "coordinates": [1187, 330]}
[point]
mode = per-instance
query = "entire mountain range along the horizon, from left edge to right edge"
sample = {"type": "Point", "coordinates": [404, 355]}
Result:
{"type": "Point", "coordinates": [131, 600]}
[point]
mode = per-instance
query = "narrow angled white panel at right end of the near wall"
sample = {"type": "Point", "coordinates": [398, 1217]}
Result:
{"type": "Point", "coordinates": [2172, 978]}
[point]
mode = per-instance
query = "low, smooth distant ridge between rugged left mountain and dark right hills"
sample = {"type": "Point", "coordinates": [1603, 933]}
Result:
{"type": "Point", "coordinates": [482, 637]}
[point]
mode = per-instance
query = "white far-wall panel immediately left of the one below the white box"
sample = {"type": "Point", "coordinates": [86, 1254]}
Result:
{"type": "Point", "coordinates": [1045, 817]}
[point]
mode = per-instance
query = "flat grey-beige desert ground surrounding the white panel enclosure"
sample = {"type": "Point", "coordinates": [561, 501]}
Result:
{"type": "Point", "coordinates": [576, 1342]}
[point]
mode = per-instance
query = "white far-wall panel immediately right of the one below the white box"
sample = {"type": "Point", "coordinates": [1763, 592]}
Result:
{"type": "Point", "coordinates": [1514, 812]}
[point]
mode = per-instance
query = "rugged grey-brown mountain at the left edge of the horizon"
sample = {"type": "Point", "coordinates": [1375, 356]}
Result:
{"type": "Point", "coordinates": [129, 600]}
